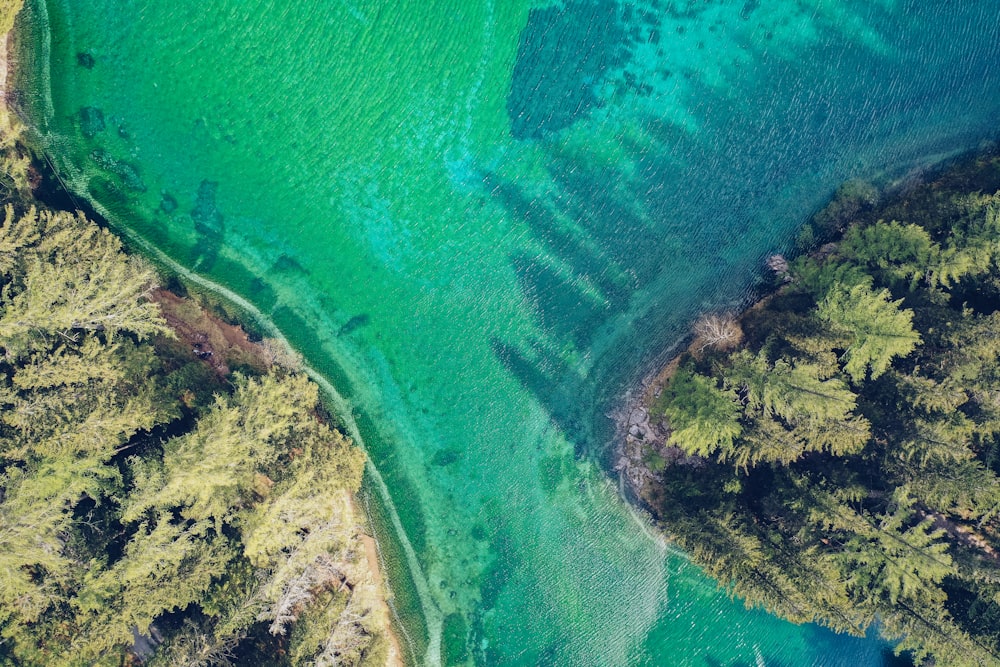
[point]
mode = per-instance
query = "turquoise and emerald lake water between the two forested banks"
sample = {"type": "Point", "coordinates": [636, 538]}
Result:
{"type": "Point", "coordinates": [480, 221]}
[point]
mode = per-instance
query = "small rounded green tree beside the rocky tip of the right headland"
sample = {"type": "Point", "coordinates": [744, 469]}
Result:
{"type": "Point", "coordinates": [704, 419]}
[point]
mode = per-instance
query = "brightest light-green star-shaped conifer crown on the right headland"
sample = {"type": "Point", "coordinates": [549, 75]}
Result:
{"type": "Point", "coordinates": [878, 328]}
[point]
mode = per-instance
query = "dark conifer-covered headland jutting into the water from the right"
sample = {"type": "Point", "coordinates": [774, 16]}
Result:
{"type": "Point", "coordinates": [841, 465]}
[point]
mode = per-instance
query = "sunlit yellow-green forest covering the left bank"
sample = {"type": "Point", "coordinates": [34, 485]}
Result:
{"type": "Point", "coordinates": [153, 508]}
